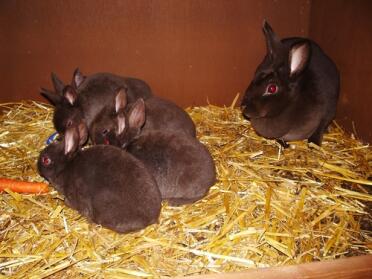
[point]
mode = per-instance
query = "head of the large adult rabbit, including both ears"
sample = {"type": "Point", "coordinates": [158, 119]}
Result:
{"type": "Point", "coordinates": [277, 81]}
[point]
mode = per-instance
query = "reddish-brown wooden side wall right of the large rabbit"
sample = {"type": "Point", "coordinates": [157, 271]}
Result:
{"type": "Point", "coordinates": [344, 30]}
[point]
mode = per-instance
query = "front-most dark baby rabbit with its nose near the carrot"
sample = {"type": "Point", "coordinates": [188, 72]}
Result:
{"type": "Point", "coordinates": [104, 183]}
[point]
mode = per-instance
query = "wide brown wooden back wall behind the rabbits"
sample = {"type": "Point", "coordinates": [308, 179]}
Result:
{"type": "Point", "coordinates": [187, 50]}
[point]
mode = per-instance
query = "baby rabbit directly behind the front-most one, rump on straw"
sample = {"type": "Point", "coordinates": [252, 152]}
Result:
{"type": "Point", "coordinates": [183, 167]}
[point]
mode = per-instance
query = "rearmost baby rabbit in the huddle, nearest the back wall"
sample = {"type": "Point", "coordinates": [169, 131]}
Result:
{"type": "Point", "coordinates": [87, 96]}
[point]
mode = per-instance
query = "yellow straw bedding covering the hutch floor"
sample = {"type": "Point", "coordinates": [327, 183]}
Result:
{"type": "Point", "coordinates": [269, 207]}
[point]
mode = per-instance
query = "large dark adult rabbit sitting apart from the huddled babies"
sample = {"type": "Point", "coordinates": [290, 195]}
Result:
{"type": "Point", "coordinates": [294, 93]}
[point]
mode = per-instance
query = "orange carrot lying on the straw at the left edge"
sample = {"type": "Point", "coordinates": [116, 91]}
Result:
{"type": "Point", "coordinates": [23, 186]}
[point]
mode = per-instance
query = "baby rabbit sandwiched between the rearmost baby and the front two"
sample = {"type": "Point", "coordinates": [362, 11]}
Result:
{"type": "Point", "coordinates": [160, 115]}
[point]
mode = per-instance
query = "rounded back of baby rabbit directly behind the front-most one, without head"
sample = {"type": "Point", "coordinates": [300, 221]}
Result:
{"type": "Point", "coordinates": [183, 167]}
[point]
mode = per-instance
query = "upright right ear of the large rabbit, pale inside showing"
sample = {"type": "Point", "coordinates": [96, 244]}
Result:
{"type": "Point", "coordinates": [298, 57]}
